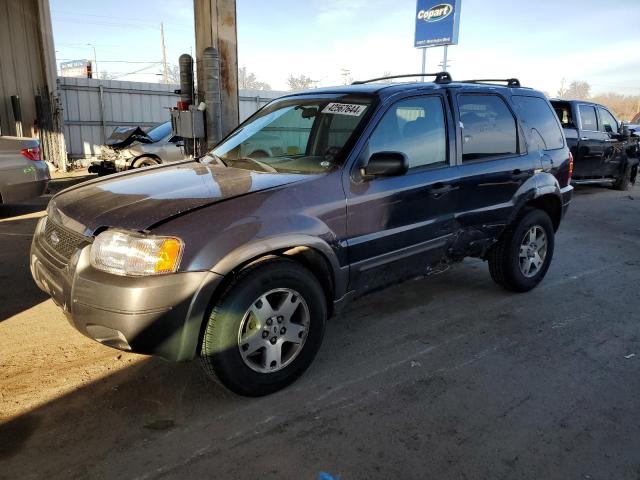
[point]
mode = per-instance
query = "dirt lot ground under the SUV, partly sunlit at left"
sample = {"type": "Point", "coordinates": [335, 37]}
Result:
{"type": "Point", "coordinates": [444, 377]}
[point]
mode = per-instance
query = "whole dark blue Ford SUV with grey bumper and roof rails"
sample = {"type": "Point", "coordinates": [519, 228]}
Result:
{"type": "Point", "coordinates": [239, 257]}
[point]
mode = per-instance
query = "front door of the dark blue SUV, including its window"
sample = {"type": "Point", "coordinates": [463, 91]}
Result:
{"type": "Point", "coordinates": [397, 227]}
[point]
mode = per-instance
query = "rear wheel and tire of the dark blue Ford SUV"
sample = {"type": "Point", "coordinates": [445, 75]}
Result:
{"type": "Point", "coordinates": [521, 258]}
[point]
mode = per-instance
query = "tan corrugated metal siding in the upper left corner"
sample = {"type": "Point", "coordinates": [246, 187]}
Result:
{"type": "Point", "coordinates": [20, 62]}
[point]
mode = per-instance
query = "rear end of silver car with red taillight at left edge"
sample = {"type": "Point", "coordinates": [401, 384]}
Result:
{"type": "Point", "coordinates": [23, 175]}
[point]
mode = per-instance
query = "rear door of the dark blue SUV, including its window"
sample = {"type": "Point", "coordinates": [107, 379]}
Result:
{"type": "Point", "coordinates": [494, 162]}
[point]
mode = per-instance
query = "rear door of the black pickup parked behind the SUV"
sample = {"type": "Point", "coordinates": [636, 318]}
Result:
{"type": "Point", "coordinates": [590, 144]}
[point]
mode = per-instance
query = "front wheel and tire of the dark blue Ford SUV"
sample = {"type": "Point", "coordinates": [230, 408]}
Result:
{"type": "Point", "coordinates": [266, 328]}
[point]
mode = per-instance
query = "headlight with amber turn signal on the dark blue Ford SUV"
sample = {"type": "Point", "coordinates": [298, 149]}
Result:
{"type": "Point", "coordinates": [134, 254]}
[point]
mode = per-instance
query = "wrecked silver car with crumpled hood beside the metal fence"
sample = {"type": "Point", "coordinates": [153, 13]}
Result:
{"type": "Point", "coordinates": [133, 147]}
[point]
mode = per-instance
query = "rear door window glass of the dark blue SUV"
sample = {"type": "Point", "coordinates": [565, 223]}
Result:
{"type": "Point", "coordinates": [489, 128]}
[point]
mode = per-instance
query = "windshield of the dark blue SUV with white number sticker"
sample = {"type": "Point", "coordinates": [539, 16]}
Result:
{"type": "Point", "coordinates": [301, 135]}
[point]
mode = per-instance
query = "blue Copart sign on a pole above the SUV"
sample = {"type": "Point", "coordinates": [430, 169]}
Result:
{"type": "Point", "coordinates": [437, 23]}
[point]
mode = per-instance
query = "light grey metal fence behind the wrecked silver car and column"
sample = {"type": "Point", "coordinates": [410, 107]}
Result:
{"type": "Point", "coordinates": [93, 108]}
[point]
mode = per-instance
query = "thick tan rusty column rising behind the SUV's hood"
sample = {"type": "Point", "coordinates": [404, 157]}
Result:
{"type": "Point", "coordinates": [215, 26]}
